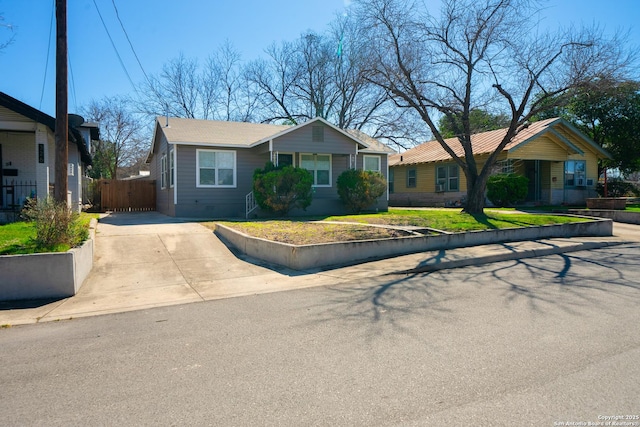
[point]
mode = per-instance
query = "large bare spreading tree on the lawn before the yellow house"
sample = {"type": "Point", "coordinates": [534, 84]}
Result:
{"type": "Point", "coordinates": [476, 54]}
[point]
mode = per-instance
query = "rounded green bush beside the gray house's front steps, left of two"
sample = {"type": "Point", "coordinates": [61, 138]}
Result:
{"type": "Point", "coordinates": [279, 190]}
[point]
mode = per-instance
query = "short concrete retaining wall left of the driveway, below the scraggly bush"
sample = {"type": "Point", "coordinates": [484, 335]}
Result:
{"type": "Point", "coordinates": [46, 275]}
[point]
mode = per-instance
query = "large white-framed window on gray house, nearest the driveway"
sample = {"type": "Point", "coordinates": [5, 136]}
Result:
{"type": "Point", "coordinates": [215, 168]}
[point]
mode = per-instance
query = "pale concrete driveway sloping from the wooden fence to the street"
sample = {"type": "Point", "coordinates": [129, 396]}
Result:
{"type": "Point", "coordinates": [146, 259]}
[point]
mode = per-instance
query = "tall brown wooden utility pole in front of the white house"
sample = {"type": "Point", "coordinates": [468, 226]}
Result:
{"type": "Point", "coordinates": [62, 119]}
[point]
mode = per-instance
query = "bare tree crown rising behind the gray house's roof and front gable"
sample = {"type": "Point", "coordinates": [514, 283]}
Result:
{"type": "Point", "coordinates": [324, 75]}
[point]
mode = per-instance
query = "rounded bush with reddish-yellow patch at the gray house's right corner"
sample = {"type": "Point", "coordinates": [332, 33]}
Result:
{"type": "Point", "coordinates": [360, 189]}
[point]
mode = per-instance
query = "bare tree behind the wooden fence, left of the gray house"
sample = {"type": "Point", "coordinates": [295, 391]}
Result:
{"type": "Point", "coordinates": [121, 142]}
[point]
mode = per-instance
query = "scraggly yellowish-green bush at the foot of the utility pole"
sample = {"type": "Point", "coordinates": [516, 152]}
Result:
{"type": "Point", "coordinates": [55, 224]}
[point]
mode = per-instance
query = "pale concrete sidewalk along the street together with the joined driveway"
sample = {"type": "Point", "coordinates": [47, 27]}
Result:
{"type": "Point", "coordinates": [149, 260]}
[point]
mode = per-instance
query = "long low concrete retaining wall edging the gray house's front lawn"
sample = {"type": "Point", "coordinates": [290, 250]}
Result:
{"type": "Point", "coordinates": [302, 257]}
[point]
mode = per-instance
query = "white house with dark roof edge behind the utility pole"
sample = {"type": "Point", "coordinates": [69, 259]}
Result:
{"type": "Point", "coordinates": [27, 154]}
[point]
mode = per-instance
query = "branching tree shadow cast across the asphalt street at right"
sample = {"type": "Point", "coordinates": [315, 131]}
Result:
{"type": "Point", "coordinates": [573, 283]}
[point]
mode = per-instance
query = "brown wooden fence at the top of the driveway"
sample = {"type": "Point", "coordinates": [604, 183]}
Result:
{"type": "Point", "coordinates": [127, 196]}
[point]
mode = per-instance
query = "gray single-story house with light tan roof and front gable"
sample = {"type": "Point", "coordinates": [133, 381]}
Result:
{"type": "Point", "coordinates": [204, 168]}
